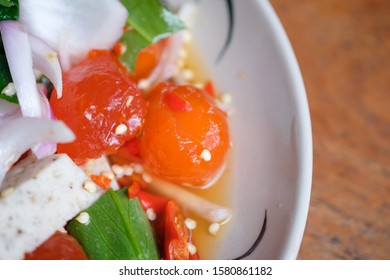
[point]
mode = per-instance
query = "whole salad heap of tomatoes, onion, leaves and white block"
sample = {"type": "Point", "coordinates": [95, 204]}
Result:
{"type": "Point", "coordinates": [104, 131]}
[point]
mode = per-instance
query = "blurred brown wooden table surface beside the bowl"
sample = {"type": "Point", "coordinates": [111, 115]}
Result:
{"type": "Point", "coordinates": [343, 49]}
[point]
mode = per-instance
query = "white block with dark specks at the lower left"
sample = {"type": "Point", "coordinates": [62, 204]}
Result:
{"type": "Point", "coordinates": [38, 198]}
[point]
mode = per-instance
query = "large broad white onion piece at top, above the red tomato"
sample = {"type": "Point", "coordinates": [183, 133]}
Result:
{"type": "Point", "coordinates": [72, 28]}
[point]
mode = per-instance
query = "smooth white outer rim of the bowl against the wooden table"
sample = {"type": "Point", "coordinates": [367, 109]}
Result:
{"type": "Point", "coordinates": [304, 133]}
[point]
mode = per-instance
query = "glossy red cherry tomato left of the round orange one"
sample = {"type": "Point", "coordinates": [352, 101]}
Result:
{"type": "Point", "coordinates": [102, 104]}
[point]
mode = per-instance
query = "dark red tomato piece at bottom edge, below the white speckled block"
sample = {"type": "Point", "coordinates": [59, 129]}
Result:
{"type": "Point", "coordinates": [60, 246]}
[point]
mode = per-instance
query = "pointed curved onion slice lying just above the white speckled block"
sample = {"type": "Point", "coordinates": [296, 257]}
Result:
{"type": "Point", "coordinates": [21, 134]}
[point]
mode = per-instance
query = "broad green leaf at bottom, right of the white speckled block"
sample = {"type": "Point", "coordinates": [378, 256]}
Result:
{"type": "Point", "coordinates": [118, 229]}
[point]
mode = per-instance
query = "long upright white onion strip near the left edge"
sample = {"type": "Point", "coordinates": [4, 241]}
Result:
{"type": "Point", "coordinates": [18, 52]}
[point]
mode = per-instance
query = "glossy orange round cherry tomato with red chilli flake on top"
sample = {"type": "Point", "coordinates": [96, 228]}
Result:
{"type": "Point", "coordinates": [185, 137]}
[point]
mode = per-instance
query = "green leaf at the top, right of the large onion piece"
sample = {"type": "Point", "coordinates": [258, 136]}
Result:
{"type": "Point", "coordinates": [150, 22]}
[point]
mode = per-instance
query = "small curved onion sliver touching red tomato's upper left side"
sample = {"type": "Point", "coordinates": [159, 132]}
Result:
{"type": "Point", "coordinates": [46, 61]}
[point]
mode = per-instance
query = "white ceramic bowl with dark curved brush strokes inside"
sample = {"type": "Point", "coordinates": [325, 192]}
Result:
{"type": "Point", "coordinates": [271, 165]}
